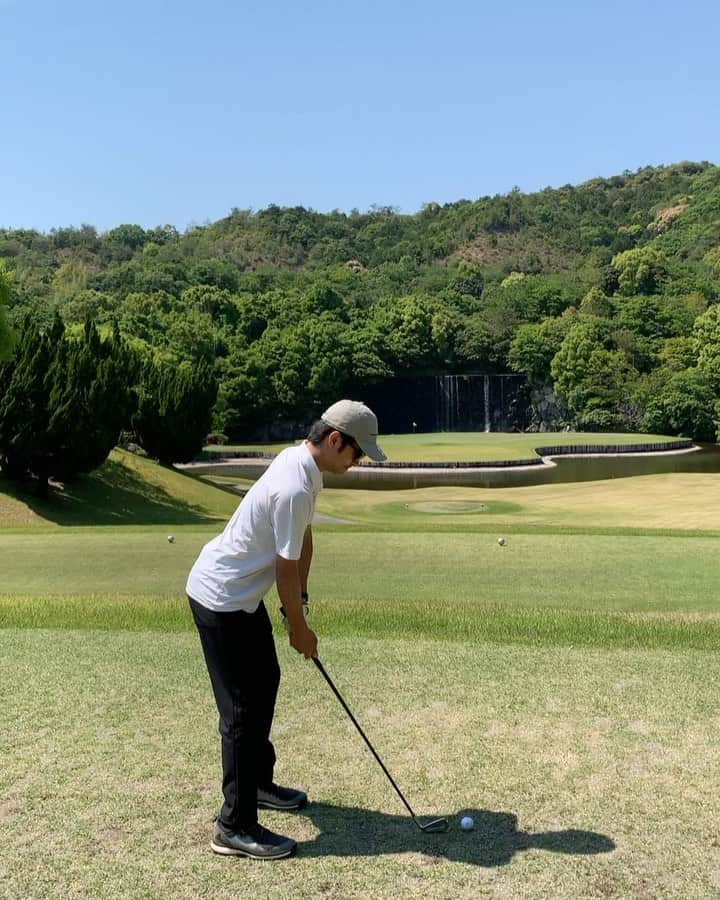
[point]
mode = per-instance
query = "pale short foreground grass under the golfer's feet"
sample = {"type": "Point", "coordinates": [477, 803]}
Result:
{"type": "Point", "coordinates": [588, 774]}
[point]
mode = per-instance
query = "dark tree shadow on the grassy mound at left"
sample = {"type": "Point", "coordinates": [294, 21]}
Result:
{"type": "Point", "coordinates": [111, 495]}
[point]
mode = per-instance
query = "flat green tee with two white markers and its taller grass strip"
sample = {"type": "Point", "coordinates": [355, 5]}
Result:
{"type": "Point", "coordinates": [537, 589]}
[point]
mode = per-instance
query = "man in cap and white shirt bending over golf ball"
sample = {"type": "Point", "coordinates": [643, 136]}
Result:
{"type": "Point", "coordinates": [268, 539]}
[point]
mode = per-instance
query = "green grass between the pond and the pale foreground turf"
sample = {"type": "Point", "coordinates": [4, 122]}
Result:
{"type": "Point", "coordinates": [626, 562]}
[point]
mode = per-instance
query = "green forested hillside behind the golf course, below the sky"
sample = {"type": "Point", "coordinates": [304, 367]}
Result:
{"type": "Point", "coordinates": [604, 291]}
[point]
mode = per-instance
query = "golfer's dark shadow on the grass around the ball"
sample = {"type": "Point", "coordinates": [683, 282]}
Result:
{"type": "Point", "coordinates": [495, 840]}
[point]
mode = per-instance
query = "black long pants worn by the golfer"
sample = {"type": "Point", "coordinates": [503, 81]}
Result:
{"type": "Point", "coordinates": [240, 655]}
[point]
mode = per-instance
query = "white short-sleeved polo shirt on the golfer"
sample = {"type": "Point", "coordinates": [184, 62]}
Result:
{"type": "Point", "coordinates": [237, 568]}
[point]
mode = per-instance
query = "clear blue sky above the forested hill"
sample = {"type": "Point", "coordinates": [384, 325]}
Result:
{"type": "Point", "coordinates": [175, 112]}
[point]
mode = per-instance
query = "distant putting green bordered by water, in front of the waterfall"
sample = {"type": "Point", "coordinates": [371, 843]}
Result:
{"type": "Point", "coordinates": [472, 446]}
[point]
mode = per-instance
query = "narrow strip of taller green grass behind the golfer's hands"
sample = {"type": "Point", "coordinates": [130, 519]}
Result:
{"type": "Point", "coordinates": [443, 621]}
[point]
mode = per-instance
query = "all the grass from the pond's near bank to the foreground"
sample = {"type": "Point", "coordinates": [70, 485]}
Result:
{"type": "Point", "coordinates": [561, 689]}
